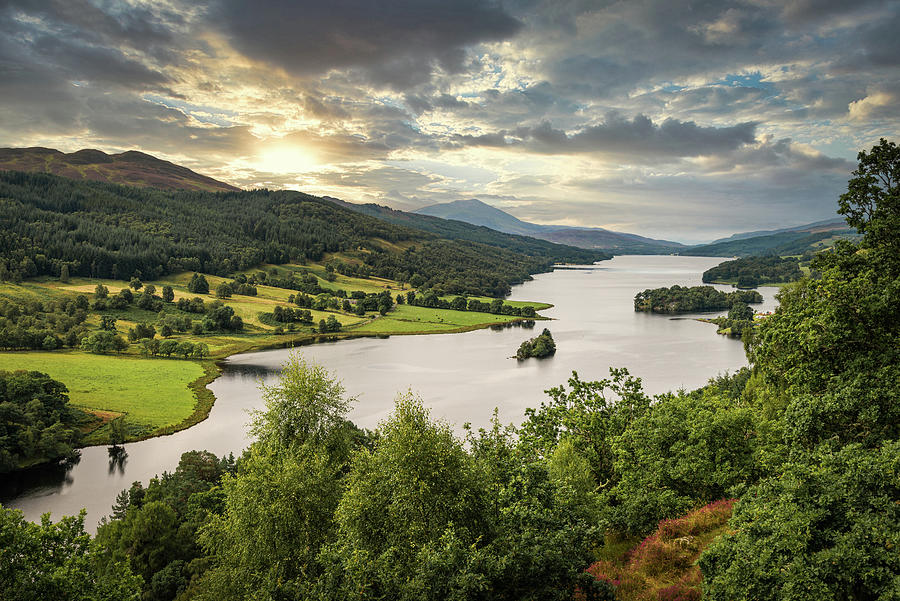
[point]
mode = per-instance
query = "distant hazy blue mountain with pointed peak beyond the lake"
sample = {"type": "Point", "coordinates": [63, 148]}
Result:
{"type": "Point", "coordinates": [479, 213]}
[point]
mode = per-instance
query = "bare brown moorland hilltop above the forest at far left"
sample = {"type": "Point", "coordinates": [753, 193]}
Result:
{"type": "Point", "coordinates": [130, 168]}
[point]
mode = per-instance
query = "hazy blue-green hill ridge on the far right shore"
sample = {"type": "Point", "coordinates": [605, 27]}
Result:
{"type": "Point", "coordinates": [794, 240]}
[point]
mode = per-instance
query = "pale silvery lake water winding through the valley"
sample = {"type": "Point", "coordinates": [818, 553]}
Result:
{"type": "Point", "coordinates": [462, 377]}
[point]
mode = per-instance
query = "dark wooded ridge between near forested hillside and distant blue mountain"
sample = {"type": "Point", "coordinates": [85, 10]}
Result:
{"type": "Point", "coordinates": [460, 230]}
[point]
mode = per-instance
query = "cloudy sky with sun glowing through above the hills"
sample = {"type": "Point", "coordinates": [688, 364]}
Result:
{"type": "Point", "coordinates": [678, 119]}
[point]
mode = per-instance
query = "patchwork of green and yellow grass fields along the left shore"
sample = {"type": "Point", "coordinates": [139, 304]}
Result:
{"type": "Point", "coordinates": [159, 396]}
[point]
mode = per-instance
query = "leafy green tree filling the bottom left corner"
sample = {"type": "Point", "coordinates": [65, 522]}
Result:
{"type": "Point", "coordinates": [56, 561]}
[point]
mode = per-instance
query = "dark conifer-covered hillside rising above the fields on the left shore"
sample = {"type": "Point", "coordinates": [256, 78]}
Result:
{"type": "Point", "coordinates": [104, 230]}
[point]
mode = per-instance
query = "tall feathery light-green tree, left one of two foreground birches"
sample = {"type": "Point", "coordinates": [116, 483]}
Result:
{"type": "Point", "coordinates": [279, 507]}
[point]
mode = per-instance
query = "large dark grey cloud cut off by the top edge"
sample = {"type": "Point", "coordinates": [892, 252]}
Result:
{"type": "Point", "coordinates": [394, 42]}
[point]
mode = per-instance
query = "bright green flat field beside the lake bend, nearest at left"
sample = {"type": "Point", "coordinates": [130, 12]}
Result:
{"type": "Point", "coordinates": [152, 394]}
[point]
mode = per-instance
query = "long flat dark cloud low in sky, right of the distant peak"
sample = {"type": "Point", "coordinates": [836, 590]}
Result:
{"type": "Point", "coordinates": [638, 137]}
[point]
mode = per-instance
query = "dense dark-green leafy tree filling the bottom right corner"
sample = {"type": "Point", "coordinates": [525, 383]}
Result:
{"type": "Point", "coordinates": [824, 529]}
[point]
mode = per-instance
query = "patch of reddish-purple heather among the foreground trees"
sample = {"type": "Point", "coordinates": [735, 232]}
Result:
{"type": "Point", "coordinates": [663, 565]}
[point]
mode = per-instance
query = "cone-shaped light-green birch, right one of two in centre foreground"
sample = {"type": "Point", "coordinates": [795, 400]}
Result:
{"type": "Point", "coordinates": [416, 485]}
